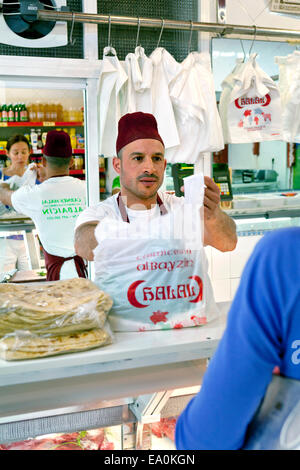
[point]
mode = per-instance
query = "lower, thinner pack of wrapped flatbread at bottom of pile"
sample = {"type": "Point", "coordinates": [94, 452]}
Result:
{"type": "Point", "coordinates": [31, 347]}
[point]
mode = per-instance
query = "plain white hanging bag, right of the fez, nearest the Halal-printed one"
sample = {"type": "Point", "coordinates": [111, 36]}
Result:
{"type": "Point", "coordinates": [195, 109]}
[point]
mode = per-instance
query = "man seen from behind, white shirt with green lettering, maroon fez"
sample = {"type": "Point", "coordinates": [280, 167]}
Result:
{"type": "Point", "coordinates": [54, 206]}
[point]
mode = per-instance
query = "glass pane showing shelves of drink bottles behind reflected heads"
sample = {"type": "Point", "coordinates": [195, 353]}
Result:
{"type": "Point", "coordinates": [34, 112]}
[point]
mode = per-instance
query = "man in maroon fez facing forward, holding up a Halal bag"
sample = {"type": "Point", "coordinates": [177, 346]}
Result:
{"type": "Point", "coordinates": [141, 164]}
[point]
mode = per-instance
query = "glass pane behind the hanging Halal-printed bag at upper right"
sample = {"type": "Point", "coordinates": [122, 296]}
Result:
{"type": "Point", "coordinates": [265, 167]}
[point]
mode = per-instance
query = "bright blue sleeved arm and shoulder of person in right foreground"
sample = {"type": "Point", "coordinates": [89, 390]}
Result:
{"type": "Point", "coordinates": [262, 333]}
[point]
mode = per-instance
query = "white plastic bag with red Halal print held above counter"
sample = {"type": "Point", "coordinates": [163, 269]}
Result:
{"type": "Point", "coordinates": [155, 271]}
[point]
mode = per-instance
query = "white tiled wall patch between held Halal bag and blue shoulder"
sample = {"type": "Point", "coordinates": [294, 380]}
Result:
{"type": "Point", "coordinates": [225, 269]}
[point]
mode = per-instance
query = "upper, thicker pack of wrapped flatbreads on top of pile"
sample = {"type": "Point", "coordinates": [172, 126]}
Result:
{"type": "Point", "coordinates": [60, 307]}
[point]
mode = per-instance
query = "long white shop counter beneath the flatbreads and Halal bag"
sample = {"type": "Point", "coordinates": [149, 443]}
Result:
{"type": "Point", "coordinates": [103, 386]}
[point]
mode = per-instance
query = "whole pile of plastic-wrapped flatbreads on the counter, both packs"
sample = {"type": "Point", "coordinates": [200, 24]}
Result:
{"type": "Point", "coordinates": [42, 320]}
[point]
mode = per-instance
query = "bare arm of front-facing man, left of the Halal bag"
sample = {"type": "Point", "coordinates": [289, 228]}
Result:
{"type": "Point", "coordinates": [85, 241]}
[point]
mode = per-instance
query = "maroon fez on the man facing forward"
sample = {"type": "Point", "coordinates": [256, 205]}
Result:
{"type": "Point", "coordinates": [136, 126]}
